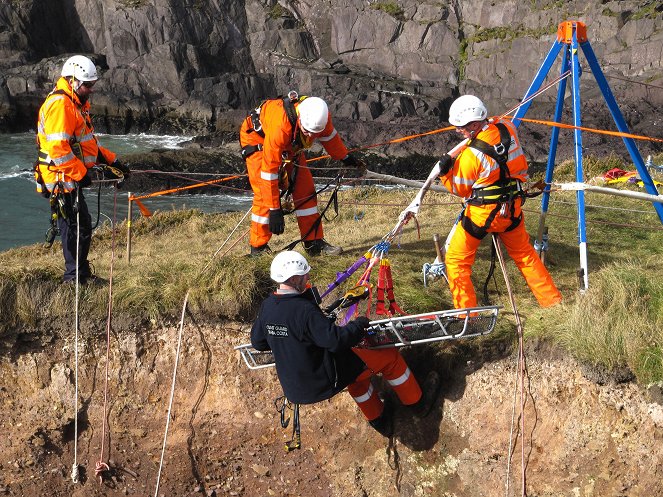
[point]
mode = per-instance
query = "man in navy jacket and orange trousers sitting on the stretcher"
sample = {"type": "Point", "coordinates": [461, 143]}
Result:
{"type": "Point", "coordinates": [316, 359]}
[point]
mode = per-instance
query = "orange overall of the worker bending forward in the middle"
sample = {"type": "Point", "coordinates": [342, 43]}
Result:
{"type": "Point", "coordinates": [277, 149]}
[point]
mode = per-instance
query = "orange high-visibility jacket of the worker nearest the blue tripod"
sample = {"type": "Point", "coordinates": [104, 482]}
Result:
{"type": "Point", "coordinates": [474, 169]}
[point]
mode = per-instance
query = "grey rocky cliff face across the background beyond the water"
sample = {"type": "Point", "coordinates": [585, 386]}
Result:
{"type": "Point", "coordinates": [196, 66]}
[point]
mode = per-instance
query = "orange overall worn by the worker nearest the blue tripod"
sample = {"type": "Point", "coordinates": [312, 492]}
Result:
{"type": "Point", "coordinates": [472, 171]}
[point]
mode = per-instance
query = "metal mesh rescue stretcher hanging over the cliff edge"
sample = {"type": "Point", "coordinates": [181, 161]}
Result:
{"type": "Point", "coordinates": [404, 331]}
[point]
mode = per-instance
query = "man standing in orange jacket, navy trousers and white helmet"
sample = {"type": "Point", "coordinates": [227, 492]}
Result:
{"type": "Point", "coordinates": [68, 149]}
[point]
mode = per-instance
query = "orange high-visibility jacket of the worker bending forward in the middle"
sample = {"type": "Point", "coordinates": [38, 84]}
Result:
{"type": "Point", "coordinates": [277, 145]}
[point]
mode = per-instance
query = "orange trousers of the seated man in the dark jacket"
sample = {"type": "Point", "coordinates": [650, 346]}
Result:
{"type": "Point", "coordinates": [394, 369]}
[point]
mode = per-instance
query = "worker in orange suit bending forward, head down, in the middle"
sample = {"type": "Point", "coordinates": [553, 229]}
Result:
{"type": "Point", "coordinates": [273, 138]}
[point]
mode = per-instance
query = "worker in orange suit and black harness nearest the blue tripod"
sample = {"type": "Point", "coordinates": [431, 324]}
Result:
{"type": "Point", "coordinates": [489, 174]}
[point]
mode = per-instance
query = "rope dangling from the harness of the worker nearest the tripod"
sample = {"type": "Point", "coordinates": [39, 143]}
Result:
{"type": "Point", "coordinates": [520, 373]}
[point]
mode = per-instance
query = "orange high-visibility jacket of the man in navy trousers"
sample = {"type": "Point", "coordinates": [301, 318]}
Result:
{"type": "Point", "coordinates": [64, 125]}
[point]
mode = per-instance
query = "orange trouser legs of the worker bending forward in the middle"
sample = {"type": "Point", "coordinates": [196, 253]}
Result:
{"type": "Point", "coordinates": [303, 194]}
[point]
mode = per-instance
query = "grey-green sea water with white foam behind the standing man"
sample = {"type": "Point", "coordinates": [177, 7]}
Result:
{"type": "Point", "coordinates": [25, 215]}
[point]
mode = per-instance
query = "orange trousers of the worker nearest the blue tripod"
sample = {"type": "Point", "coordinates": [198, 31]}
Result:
{"type": "Point", "coordinates": [461, 252]}
